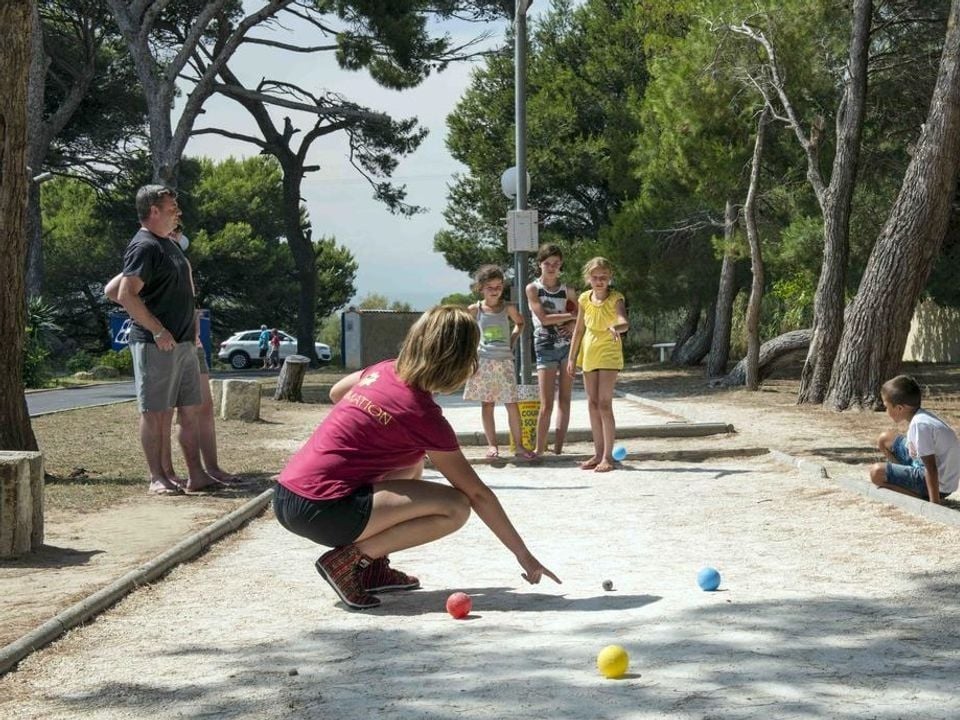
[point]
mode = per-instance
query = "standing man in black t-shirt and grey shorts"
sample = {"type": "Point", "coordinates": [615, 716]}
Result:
{"type": "Point", "coordinates": [157, 292]}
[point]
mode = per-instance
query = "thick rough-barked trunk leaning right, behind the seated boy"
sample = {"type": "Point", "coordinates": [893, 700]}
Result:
{"type": "Point", "coordinates": [876, 328]}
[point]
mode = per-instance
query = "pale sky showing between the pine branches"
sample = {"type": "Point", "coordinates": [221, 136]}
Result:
{"type": "Point", "coordinates": [395, 254]}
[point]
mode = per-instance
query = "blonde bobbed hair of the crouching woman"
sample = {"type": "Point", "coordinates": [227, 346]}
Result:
{"type": "Point", "coordinates": [440, 350]}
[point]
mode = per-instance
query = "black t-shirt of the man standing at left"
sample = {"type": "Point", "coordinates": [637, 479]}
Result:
{"type": "Point", "coordinates": [166, 291]}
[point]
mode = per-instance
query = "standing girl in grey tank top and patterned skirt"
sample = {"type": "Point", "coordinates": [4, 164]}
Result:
{"type": "Point", "coordinates": [495, 379]}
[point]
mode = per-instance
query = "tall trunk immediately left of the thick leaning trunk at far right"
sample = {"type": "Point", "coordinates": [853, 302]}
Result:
{"type": "Point", "coordinates": [828, 306]}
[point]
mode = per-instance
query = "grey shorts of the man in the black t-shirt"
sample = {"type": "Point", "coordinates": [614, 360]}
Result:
{"type": "Point", "coordinates": [166, 380]}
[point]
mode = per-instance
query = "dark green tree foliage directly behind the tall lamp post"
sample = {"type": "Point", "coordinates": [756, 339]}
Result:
{"type": "Point", "coordinates": [586, 66]}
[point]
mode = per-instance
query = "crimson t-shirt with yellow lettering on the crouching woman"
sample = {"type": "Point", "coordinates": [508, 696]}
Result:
{"type": "Point", "coordinates": [381, 424]}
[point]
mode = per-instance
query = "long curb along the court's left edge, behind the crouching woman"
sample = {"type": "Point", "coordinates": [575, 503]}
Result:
{"type": "Point", "coordinates": [101, 600]}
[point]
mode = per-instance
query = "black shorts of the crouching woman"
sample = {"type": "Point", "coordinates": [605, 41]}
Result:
{"type": "Point", "coordinates": [333, 523]}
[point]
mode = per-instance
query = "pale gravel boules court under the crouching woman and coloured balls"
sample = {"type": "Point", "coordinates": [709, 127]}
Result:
{"type": "Point", "coordinates": [831, 606]}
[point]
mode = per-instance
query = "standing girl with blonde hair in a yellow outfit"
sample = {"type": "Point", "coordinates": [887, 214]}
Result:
{"type": "Point", "coordinates": [597, 349]}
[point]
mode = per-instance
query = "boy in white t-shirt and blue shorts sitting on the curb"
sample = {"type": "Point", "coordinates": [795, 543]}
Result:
{"type": "Point", "coordinates": [925, 463]}
